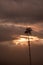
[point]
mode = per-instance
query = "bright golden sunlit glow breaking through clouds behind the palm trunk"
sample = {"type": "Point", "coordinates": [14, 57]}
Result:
{"type": "Point", "coordinates": [22, 39]}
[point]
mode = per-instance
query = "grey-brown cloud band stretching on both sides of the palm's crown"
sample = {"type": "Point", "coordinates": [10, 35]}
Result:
{"type": "Point", "coordinates": [11, 31]}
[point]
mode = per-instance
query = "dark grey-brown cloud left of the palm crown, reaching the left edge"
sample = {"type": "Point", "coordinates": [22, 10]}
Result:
{"type": "Point", "coordinates": [7, 31]}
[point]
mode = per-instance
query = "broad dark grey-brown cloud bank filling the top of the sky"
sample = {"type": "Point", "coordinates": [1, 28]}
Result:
{"type": "Point", "coordinates": [33, 9]}
